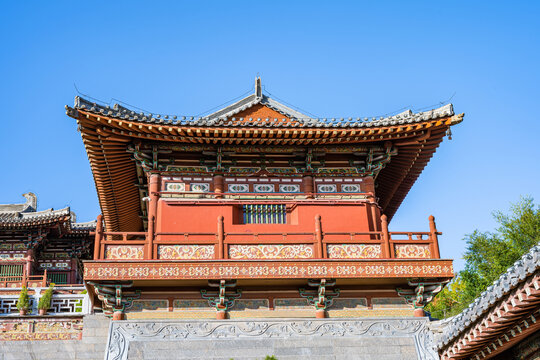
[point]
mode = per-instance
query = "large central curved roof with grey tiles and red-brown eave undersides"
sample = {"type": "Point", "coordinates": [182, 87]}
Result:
{"type": "Point", "coordinates": [255, 120]}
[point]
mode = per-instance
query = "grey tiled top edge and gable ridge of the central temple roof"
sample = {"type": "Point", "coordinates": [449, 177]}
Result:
{"type": "Point", "coordinates": [225, 117]}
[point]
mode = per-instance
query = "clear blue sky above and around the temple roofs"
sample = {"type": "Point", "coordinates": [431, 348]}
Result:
{"type": "Point", "coordinates": [331, 58]}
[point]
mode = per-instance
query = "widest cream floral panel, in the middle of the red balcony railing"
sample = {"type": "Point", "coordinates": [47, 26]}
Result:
{"type": "Point", "coordinates": [301, 251]}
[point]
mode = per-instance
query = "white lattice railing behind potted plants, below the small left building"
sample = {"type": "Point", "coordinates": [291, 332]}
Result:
{"type": "Point", "coordinates": [71, 300]}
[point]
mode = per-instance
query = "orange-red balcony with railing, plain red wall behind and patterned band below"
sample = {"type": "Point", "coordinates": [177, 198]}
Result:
{"type": "Point", "coordinates": [206, 236]}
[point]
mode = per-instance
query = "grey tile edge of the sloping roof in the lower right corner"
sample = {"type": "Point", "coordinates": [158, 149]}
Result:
{"type": "Point", "coordinates": [512, 278]}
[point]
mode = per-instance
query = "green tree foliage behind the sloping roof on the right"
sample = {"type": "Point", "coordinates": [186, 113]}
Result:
{"type": "Point", "coordinates": [488, 255]}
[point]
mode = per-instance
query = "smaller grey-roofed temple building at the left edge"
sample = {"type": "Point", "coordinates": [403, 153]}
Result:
{"type": "Point", "coordinates": [41, 247]}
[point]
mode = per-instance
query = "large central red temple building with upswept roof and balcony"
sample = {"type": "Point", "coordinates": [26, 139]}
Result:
{"type": "Point", "coordinates": [258, 210]}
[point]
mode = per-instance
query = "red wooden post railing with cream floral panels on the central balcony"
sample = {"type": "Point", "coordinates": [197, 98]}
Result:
{"type": "Point", "coordinates": [222, 245]}
